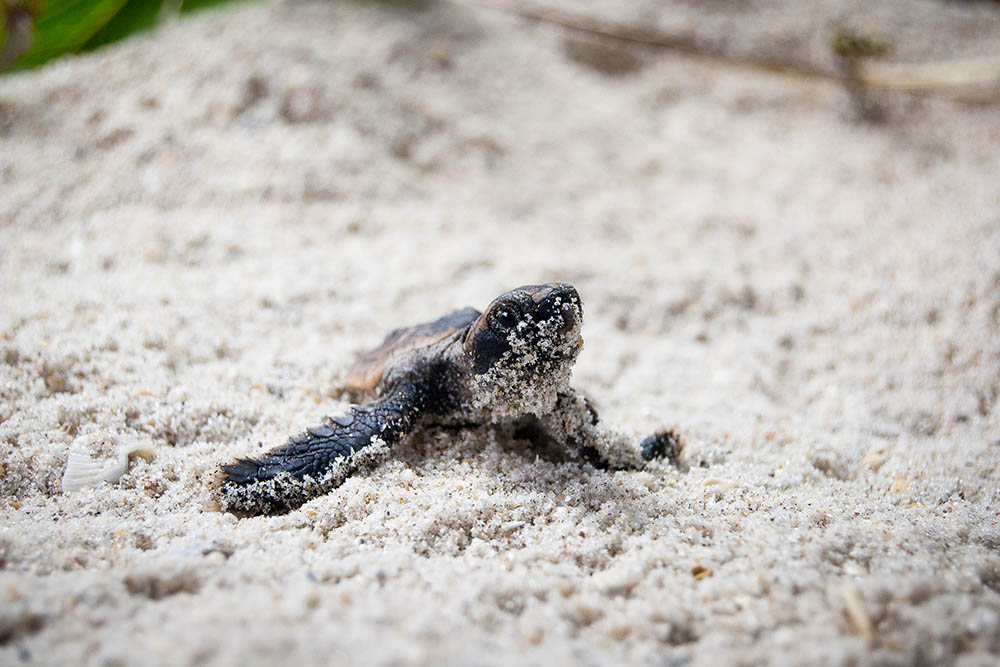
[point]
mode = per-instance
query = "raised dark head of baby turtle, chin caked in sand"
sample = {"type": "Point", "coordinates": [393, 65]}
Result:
{"type": "Point", "coordinates": [523, 346]}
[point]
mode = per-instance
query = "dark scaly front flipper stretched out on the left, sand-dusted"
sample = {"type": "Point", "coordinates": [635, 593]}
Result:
{"type": "Point", "coordinates": [318, 460]}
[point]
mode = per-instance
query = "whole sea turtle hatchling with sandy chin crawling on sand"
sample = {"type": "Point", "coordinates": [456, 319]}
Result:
{"type": "Point", "coordinates": [508, 365]}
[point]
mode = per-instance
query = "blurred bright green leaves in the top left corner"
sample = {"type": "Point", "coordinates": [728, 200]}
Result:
{"type": "Point", "coordinates": [33, 32]}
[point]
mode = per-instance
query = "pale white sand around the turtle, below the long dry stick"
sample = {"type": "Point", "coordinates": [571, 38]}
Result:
{"type": "Point", "coordinates": [200, 228]}
